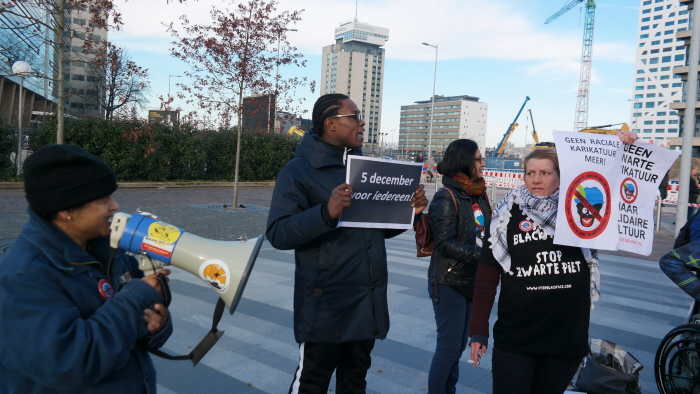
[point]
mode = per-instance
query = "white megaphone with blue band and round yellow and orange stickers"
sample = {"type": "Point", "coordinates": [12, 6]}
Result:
{"type": "Point", "coordinates": [223, 266]}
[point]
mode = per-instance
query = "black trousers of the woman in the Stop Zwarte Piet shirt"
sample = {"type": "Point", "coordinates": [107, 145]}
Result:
{"type": "Point", "coordinates": [516, 373]}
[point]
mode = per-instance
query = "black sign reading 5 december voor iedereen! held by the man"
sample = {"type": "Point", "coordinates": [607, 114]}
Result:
{"type": "Point", "coordinates": [383, 192]}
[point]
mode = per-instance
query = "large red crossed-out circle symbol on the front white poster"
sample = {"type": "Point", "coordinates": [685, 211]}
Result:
{"type": "Point", "coordinates": [587, 205]}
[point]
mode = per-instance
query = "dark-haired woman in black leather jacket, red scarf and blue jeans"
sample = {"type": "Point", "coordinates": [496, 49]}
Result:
{"type": "Point", "coordinates": [459, 214]}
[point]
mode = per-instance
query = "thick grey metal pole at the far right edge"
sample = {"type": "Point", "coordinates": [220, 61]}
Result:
{"type": "Point", "coordinates": [688, 125]}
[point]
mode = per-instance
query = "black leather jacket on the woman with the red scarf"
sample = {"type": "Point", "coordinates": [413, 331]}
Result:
{"type": "Point", "coordinates": [456, 256]}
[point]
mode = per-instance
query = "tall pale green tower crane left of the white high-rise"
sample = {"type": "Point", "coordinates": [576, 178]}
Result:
{"type": "Point", "coordinates": [581, 115]}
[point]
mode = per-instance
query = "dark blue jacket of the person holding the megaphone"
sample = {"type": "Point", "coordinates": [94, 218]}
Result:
{"type": "Point", "coordinates": [58, 333]}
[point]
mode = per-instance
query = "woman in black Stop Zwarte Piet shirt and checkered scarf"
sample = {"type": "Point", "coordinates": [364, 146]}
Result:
{"type": "Point", "coordinates": [547, 290]}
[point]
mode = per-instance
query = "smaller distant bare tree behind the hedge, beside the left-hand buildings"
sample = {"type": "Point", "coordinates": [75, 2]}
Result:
{"type": "Point", "coordinates": [114, 80]}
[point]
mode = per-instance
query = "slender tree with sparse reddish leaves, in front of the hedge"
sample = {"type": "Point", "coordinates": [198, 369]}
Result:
{"type": "Point", "coordinates": [237, 54]}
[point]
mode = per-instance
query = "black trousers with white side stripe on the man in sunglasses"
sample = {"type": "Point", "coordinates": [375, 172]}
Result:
{"type": "Point", "coordinates": [317, 361]}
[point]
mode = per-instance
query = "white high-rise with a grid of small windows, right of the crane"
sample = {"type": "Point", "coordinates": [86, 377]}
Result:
{"type": "Point", "coordinates": [656, 86]}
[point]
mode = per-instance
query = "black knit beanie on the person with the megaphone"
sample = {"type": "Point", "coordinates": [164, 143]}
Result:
{"type": "Point", "coordinates": [60, 177]}
